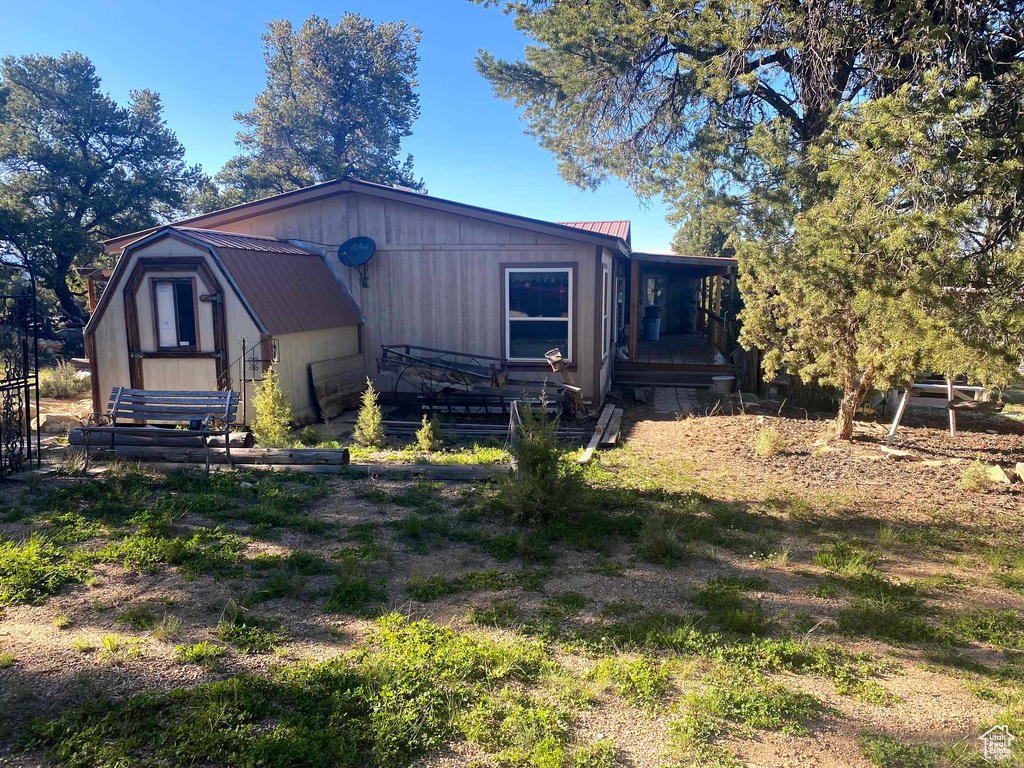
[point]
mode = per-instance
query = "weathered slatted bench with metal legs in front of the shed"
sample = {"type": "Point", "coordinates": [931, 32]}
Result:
{"type": "Point", "coordinates": [203, 415]}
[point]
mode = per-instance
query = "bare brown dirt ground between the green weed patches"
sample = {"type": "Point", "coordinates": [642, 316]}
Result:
{"type": "Point", "coordinates": [813, 493]}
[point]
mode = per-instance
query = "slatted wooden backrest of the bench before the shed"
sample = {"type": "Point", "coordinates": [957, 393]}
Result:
{"type": "Point", "coordinates": [170, 407]}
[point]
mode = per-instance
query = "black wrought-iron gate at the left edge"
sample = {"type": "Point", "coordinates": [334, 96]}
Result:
{"type": "Point", "coordinates": [19, 382]}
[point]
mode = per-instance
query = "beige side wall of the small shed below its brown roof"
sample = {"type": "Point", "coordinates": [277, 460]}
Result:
{"type": "Point", "coordinates": [296, 352]}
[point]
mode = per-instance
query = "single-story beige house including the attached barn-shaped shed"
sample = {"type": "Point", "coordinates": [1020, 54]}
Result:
{"type": "Point", "coordinates": [183, 298]}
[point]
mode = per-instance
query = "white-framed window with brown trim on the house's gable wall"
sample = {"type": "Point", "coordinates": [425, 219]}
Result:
{"type": "Point", "coordinates": [539, 313]}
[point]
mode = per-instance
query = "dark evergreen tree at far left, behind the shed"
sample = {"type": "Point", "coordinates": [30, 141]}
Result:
{"type": "Point", "coordinates": [76, 168]}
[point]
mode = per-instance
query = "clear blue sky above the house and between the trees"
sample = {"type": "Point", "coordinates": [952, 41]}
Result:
{"type": "Point", "coordinates": [206, 61]}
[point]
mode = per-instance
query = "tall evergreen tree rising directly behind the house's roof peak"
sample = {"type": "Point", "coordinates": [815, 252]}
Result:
{"type": "Point", "coordinates": [339, 101]}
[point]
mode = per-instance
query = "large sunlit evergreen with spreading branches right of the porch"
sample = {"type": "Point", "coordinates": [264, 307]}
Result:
{"type": "Point", "coordinates": [747, 117]}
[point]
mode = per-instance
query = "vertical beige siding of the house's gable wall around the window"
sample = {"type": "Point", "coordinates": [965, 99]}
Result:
{"type": "Point", "coordinates": [437, 279]}
